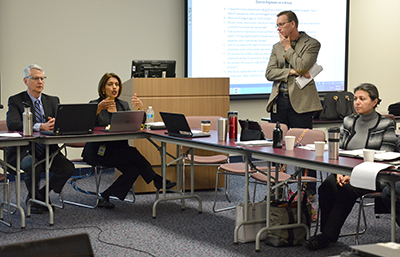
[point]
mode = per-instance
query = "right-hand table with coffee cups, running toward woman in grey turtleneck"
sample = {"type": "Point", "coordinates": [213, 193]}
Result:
{"type": "Point", "coordinates": [300, 158]}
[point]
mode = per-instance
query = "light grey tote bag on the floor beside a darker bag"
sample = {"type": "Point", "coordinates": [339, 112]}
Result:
{"type": "Point", "coordinates": [256, 211]}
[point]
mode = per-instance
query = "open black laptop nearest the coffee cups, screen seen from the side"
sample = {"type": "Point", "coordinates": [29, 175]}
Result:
{"type": "Point", "coordinates": [178, 126]}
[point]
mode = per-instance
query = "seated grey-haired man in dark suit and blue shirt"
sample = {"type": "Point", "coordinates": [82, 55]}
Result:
{"type": "Point", "coordinates": [43, 119]}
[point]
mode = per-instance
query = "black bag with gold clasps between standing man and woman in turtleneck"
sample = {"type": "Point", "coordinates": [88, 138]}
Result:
{"type": "Point", "coordinates": [337, 105]}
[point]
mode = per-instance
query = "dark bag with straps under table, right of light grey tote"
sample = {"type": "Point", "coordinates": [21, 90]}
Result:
{"type": "Point", "coordinates": [283, 213]}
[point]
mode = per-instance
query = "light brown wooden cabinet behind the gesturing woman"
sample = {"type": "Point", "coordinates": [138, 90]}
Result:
{"type": "Point", "coordinates": [190, 96]}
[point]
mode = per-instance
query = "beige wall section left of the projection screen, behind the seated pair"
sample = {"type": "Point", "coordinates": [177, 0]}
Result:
{"type": "Point", "coordinates": [77, 41]}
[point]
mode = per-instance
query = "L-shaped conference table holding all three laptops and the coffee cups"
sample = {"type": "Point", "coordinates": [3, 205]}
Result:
{"type": "Point", "coordinates": [298, 157]}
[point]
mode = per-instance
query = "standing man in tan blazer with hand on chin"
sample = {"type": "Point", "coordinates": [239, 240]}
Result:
{"type": "Point", "coordinates": [292, 56]}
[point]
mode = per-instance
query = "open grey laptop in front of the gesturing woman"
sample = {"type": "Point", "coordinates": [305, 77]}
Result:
{"type": "Point", "coordinates": [126, 121]}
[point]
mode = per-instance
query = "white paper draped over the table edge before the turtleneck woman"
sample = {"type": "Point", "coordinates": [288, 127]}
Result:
{"type": "Point", "coordinates": [364, 174]}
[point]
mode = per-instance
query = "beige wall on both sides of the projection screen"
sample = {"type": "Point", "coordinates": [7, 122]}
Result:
{"type": "Point", "coordinates": [77, 41]}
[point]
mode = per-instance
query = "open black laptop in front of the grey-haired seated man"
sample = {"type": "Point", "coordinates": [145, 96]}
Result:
{"type": "Point", "coordinates": [74, 119]}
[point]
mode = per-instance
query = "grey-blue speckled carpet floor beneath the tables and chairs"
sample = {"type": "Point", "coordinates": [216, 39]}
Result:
{"type": "Point", "coordinates": [130, 230]}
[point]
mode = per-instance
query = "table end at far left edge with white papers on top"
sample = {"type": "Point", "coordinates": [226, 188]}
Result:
{"type": "Point", "coordinates": [5, 142]}
